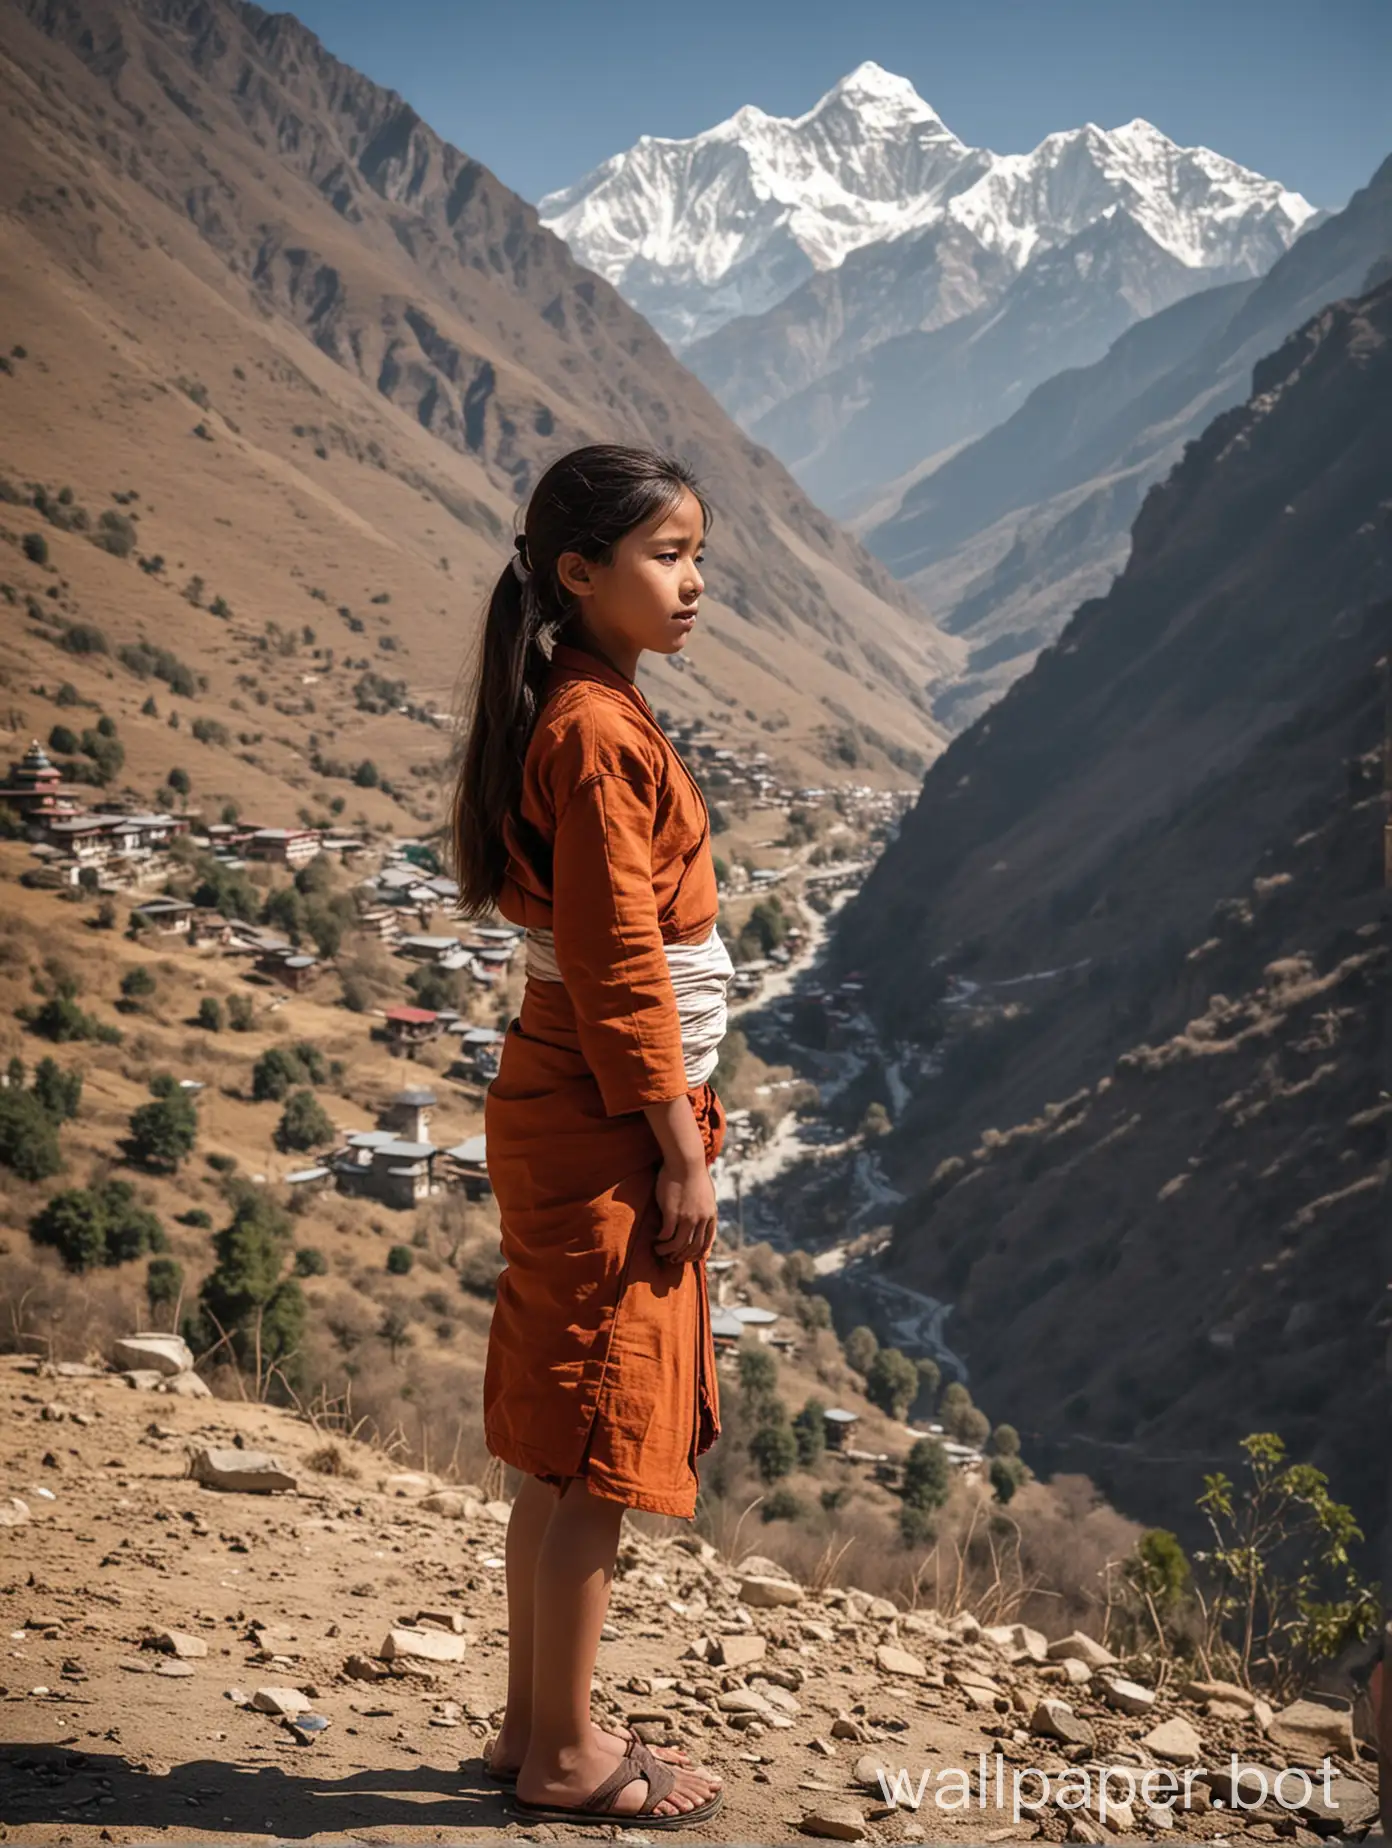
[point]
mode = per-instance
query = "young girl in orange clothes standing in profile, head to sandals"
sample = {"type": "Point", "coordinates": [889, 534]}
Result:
{"type": "Point", "coordinates": [580, 821]}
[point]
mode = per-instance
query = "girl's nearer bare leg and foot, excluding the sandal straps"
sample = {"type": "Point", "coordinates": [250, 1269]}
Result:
{"type": "Point", "coordinates": [567, 1753]}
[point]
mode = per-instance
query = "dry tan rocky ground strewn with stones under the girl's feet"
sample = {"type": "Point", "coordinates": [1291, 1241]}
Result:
{"type": "Point", "coordinates": [167, 1638]}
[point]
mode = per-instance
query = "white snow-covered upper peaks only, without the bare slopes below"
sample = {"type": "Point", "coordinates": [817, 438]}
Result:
{"type": "Point", "coordinates": [726, 225]}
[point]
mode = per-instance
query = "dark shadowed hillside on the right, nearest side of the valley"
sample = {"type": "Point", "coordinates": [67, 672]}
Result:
{"type": "Point", "coordinates": [1140, 918]}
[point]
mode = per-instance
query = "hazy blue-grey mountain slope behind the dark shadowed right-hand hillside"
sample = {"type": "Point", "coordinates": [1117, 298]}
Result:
{"type": "Point", "coordinates": [1014, 531]}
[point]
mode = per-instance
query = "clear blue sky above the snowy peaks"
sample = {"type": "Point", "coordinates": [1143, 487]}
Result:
{"type": "Point", "coordinates": [546, 90]}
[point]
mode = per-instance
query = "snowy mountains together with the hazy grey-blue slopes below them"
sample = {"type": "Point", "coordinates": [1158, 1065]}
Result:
{"type": "Point", "coordinates": [864, 291]}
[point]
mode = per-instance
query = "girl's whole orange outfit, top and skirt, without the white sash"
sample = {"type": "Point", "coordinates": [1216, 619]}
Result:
{"type": "Point", "coordinates": [600, 1356]}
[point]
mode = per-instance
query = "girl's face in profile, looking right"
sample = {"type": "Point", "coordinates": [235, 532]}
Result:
{"type": "Point", "coordinates": [646, 598]}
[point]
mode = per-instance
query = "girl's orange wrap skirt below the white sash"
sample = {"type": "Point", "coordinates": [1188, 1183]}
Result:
{"type": "Point", "coordinates": [600, 1357]}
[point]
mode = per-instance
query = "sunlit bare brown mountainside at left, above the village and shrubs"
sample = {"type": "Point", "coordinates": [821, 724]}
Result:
{"type": "Point", "coordinates": [328, 354]}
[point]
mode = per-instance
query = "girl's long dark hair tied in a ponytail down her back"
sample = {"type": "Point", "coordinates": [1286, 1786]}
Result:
{"type": "Point", "coordinates": [585, 504]}
